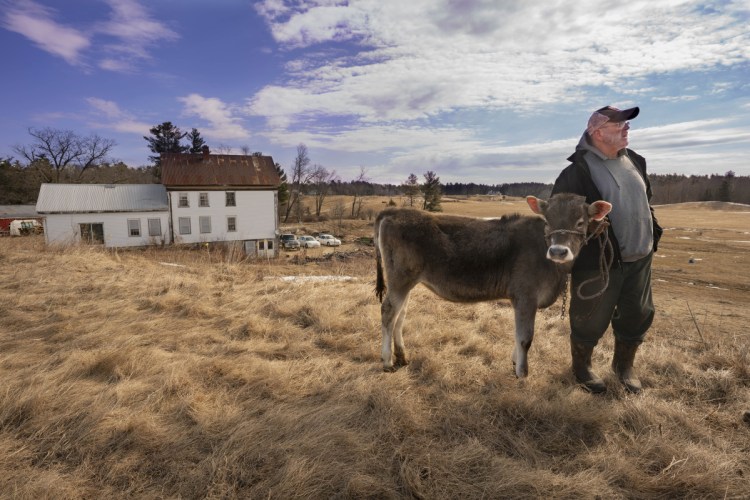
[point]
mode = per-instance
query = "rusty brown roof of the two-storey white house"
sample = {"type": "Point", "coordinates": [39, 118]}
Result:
{"type": "Point", "coordinates": [208, 170]}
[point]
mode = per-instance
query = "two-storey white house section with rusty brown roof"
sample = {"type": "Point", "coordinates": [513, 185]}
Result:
{"type": "Point", "coordinates": [231, 198]}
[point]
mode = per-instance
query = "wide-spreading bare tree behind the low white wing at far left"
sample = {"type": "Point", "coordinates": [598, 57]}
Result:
{"type": "Point", "coordinates": [63, 150]}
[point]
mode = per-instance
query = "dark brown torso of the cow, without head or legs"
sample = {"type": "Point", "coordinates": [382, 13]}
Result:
{"type": "Point", "coordinates": [464, 259]}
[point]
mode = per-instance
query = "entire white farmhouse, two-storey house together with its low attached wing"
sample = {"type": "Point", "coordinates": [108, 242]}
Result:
{"type": "Point", "coordinates": [203, 198]}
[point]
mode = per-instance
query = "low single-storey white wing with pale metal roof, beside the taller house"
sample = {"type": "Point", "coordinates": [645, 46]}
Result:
{"type": "Point", "coordinates": [115, 215]}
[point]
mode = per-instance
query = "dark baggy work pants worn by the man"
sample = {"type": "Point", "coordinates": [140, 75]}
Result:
{"type": "Point", "coordinates": [627, 303]}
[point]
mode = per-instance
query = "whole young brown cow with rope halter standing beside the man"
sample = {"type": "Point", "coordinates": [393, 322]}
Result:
{"type": "Point", "coordinates": [521, 258]}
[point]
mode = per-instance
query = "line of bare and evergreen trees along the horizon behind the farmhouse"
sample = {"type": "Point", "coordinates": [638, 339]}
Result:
{"type": "Point", "coordinates": [55, 155]}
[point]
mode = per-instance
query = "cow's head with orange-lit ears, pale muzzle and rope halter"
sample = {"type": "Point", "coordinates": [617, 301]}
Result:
{"type": "Point", "coordinates": [568, 216]}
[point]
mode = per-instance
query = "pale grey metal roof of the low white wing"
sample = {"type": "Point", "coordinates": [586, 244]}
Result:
{"type": "Point", "coordinates": [78, 198]}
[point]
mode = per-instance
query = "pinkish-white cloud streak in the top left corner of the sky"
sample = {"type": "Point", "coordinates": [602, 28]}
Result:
{"type": "Point", "coordinates": [36, 23]}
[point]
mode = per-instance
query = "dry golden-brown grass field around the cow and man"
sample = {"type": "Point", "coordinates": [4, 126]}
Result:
{"type": "Point", "coordinates": [176, 373]}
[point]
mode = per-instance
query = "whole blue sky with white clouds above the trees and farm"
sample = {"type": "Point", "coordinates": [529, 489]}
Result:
{"type": "Point", "coordinates": [483, 91]}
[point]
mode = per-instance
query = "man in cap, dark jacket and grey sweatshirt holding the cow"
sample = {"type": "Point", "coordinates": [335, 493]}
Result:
{"type": "Point", "coordinates": [602, 168]}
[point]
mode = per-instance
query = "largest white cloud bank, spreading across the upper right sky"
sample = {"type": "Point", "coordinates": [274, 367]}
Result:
{"type": "Point", "coordinates": [422, 58]}
